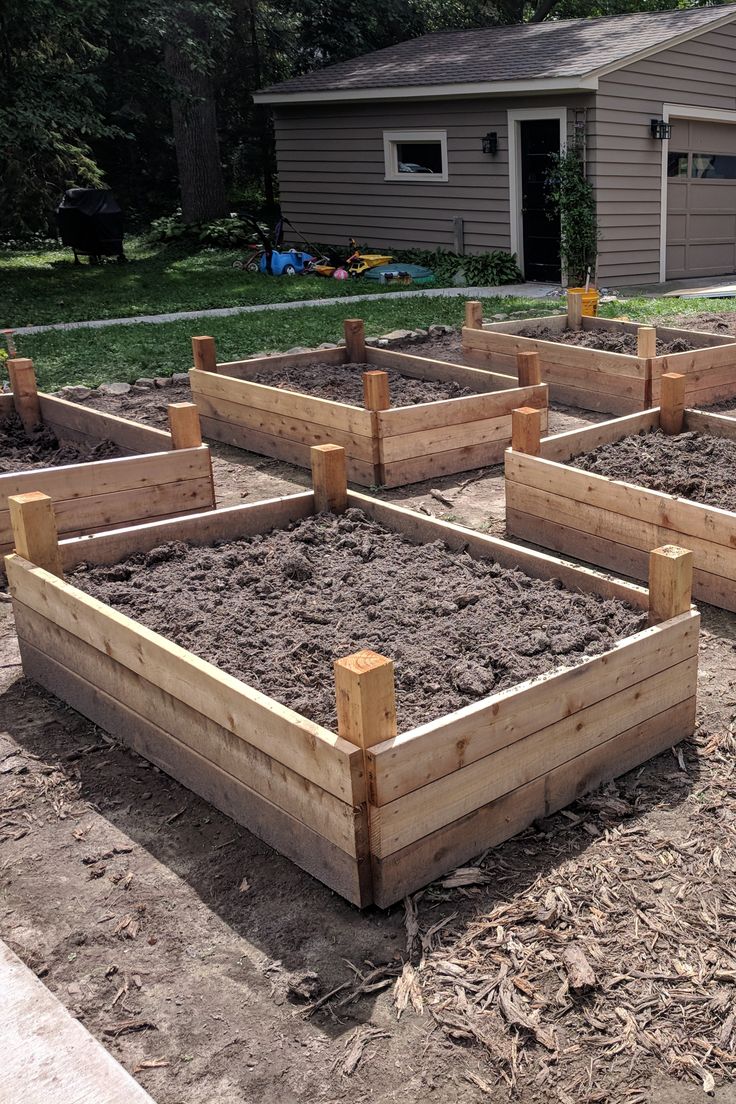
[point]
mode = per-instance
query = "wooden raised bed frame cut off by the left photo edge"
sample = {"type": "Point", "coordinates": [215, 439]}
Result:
{"type": "Point", "coordinates": [158, 474]}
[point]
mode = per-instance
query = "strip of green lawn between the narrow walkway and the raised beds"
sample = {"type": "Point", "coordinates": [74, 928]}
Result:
{"type": "Point", "coordinates": [126, 353]}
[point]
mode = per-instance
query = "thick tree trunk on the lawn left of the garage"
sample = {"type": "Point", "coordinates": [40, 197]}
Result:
{"type": "Point", "coordinates": [196, 134]}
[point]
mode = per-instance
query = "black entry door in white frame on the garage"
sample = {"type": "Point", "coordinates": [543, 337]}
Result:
{"type": "Point", "coordinates": [540, 140]}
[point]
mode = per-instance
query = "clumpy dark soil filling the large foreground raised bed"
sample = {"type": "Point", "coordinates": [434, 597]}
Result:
{"type": "Point", "coordinates": [278, 610]}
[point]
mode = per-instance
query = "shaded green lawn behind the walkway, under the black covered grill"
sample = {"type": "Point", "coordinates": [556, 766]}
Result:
{"type": "Point", "coordinates": [40, 288]}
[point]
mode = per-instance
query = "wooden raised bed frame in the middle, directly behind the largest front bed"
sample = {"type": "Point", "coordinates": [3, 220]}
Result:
{"type": "Point", "coordinates": [386, 447]}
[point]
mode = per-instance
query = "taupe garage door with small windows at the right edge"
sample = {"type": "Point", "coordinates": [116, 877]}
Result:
{"type": "Point", "coordinates": [701, 224]}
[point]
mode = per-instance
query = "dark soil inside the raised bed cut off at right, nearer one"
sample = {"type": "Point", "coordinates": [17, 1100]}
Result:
{"type": "Point", "coordinates": [690, 465]}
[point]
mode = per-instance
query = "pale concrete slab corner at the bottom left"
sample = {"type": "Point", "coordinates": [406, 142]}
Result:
{"type": "Point", "coordinates": [47, 1057]}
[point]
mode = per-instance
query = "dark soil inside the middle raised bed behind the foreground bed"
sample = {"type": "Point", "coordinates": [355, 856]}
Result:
{"type": "Point", "coordinates": [344, 384]}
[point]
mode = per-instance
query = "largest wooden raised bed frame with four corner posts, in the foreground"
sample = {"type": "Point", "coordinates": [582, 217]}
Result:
{"type": "Point", "coordinates": [374, 814]}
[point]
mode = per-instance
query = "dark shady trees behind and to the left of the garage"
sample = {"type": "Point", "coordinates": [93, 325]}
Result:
{"type": "Point", "coordinates": [153, 98]}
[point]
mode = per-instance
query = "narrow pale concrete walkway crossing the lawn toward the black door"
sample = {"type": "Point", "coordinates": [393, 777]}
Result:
{"type": "Point", "coordinates": [526, 291]}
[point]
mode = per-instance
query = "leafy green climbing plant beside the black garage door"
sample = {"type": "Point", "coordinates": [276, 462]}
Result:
{"type": "Point", "coordinates": [572, 200]}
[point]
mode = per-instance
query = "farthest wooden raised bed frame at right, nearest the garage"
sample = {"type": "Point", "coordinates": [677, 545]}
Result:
{"type": "Point", "coordinates": [601, 380]}
